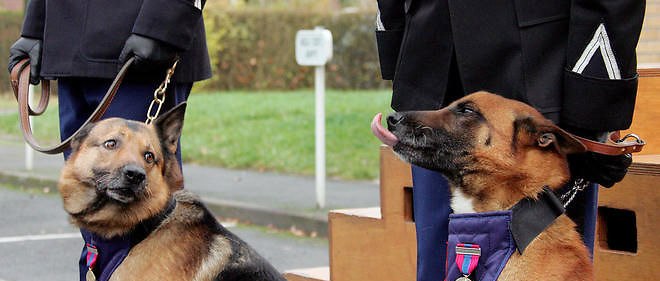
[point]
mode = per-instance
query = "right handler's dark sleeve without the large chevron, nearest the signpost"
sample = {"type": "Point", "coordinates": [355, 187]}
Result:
{"type": "Point", "coordinates": [389, 34]}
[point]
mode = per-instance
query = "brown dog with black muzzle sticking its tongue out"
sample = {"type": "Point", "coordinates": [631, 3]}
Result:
{"type": "Point", "coordinates": [495, 152]}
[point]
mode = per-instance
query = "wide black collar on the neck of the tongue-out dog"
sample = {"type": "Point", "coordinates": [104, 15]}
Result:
{"type": "Point", "coordinates": [531, 217]}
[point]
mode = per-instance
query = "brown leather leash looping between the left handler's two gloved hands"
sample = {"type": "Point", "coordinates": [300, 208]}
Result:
{"type": "Point", "coordinates": [20, 76]}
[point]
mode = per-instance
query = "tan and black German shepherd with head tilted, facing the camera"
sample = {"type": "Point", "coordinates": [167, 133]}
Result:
{"type": "Point", "coordinates": [123, 175]}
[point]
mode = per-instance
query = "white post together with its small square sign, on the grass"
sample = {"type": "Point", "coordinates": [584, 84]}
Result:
{"type": "Point", "coordinates": [314, 48]}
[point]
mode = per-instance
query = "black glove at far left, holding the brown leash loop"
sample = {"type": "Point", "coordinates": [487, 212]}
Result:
{"type": "Point", "coordinates": [27, 48]}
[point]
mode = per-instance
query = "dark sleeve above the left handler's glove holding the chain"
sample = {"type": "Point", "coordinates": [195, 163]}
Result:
{"type": "Point", "coordinates": [170, 21]}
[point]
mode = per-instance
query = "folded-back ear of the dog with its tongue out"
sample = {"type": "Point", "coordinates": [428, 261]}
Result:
{"type": "Point", "coordinates": [546, 134]}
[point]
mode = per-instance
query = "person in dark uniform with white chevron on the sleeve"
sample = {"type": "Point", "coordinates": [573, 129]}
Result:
{"type": "Point", "coordinates": [574, 61]}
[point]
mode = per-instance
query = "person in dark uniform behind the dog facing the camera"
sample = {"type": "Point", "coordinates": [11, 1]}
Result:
{"type": "Point", "coordinates": [83, 44]}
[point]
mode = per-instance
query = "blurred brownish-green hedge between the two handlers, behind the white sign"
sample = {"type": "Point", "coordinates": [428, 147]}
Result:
{"type": "Point", "coordinates": [254, 49]}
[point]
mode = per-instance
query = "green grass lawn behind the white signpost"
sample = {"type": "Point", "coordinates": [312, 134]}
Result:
{"type": "Point", "coordinates": [272, 131]}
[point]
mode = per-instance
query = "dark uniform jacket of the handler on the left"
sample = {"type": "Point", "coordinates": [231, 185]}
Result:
{"type": "Point", "coordinates": [85, 38]}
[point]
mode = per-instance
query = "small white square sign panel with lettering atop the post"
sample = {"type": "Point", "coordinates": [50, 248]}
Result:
{"type": "Point", "coordinates": [313, 47]}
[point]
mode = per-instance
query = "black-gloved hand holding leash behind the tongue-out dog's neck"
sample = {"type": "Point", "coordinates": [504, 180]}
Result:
{"type": "Point", "coordinates": [603, 169]}
